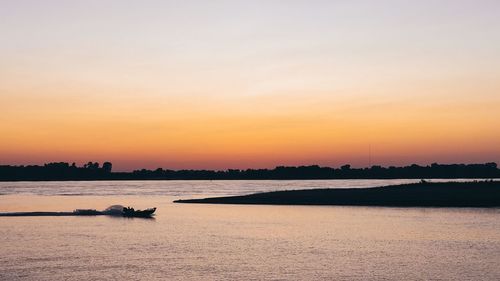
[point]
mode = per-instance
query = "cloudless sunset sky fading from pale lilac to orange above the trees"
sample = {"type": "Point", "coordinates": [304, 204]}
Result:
{"type": "Point", "coordinates": [249, 84]}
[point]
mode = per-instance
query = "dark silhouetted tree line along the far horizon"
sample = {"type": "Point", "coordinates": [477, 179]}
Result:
{"type": "Point", "coordinates": [93, 171]}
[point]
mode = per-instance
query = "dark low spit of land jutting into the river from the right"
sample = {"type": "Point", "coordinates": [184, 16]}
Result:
{"type": "Point", "coordinates": [424, 194]}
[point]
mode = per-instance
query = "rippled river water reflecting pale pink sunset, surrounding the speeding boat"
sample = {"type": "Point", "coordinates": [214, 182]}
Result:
{"type": "Point", "coordinates": [237, 242]}
